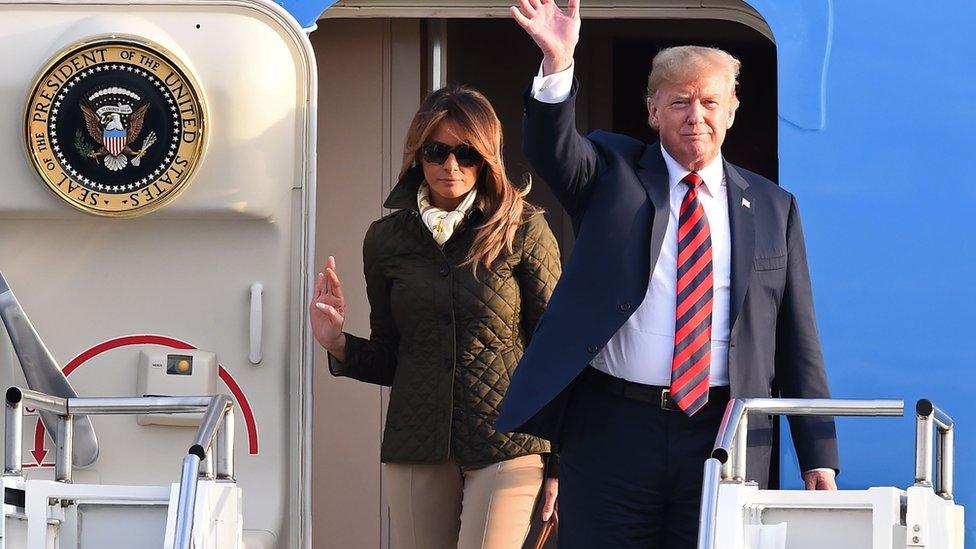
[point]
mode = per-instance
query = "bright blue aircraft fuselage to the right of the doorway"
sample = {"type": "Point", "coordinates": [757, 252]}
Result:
{"type": "Point", "coordinates": [884, 192]}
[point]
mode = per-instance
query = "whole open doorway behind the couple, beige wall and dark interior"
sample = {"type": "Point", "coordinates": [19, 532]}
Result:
{"type": "Point", "coordinates": [373, 74]}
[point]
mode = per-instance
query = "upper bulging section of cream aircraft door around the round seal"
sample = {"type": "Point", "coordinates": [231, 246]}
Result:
{"type": "Point", "coordinates": [255, 99]}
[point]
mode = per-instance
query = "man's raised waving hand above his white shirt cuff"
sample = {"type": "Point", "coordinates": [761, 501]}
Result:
{"type": "Point", "coordinates": [554, 31]}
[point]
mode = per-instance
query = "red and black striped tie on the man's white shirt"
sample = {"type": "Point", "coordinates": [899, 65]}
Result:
{"type": "Point", "coordinates": [693, 313]}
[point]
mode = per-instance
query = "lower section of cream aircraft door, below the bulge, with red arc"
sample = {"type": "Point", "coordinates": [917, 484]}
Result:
{"type": "Point", "coordinates": [211, 316]}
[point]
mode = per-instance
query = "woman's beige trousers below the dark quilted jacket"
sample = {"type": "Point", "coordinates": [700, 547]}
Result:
{"type": "Point", "coordinates": [445, 506]}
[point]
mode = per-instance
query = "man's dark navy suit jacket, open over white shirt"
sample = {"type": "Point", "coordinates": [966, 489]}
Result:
{"type": "Point", "coordinates": [616, 191]}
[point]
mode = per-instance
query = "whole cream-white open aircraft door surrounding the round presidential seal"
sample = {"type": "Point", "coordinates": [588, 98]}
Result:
{"type": "Point", "coordinates": [183, 271]}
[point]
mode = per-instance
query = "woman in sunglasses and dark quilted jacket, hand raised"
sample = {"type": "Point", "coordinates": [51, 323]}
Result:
{"type": "Point", "coordinates": [457, 278]}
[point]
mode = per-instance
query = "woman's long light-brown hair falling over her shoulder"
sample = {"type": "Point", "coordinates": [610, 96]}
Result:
{"type": "Point", "coordinates": [503, 204]}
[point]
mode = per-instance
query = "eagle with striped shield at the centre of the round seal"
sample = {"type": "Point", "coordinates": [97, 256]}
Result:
{"type": "Point", "coordinates": [114, 118]}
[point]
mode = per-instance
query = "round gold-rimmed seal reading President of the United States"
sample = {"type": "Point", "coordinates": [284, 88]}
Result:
{"type": "Point", "coordinates": [116, 127]}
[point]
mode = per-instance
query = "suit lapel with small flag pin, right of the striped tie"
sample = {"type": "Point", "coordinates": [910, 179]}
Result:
{"type": "Point", "coordinates": [743, 233]}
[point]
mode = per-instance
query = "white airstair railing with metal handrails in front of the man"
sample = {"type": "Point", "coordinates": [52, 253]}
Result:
{"type": "Point", "coordinates": [736, 514]}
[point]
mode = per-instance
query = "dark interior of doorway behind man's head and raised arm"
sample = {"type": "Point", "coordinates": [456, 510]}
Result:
{"type": "Point", "coordinates": [612, 62]}
